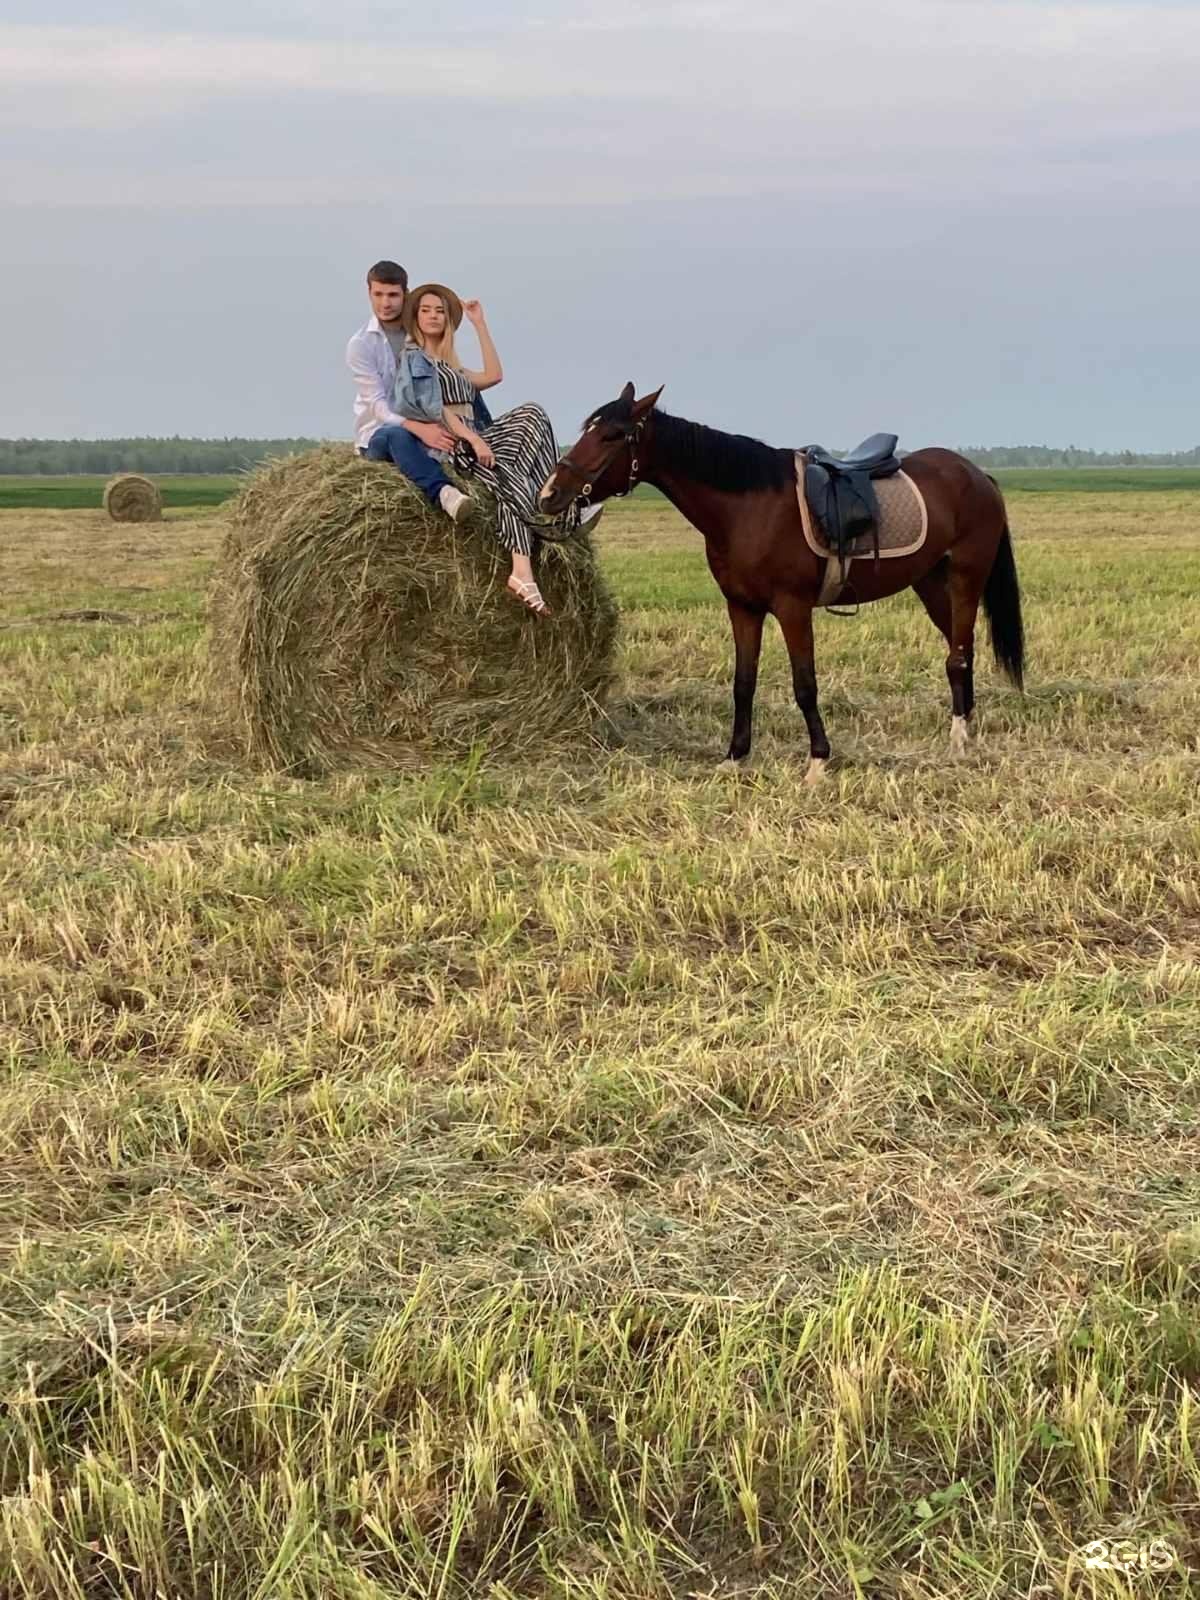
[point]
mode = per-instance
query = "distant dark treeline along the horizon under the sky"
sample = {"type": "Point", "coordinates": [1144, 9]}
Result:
{"type": "Point", "coordinates": [81, 457]}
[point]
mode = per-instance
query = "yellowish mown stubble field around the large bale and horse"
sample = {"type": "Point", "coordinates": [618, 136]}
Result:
{"type": "Point", "coordinates": [607, 1178]}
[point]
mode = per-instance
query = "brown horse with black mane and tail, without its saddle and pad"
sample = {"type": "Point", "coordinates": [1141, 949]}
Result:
{"type": "Point", "coordinates": [742, 495]}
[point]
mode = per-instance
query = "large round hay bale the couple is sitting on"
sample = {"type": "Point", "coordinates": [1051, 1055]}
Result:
{"type": "Point", "coordinates": [354, 625]}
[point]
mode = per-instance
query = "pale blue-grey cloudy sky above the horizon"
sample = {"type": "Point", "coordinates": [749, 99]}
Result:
{"type": "Point", "coordinates": [961, 222]}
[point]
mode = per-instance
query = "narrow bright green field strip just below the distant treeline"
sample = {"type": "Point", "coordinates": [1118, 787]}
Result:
{"type": "Point", "coordinates": [86, 492]}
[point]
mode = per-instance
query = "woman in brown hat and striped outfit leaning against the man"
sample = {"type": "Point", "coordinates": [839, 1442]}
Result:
{"type": "Point", "coordinates": [514, 455]}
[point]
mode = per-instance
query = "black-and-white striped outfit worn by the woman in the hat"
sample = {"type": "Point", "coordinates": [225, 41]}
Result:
{"type": "Point", "coordinates": [522, 442]}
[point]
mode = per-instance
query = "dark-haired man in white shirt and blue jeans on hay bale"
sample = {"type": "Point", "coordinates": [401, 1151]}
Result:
{"type": "Point", "coordinates": [382, 433]}
